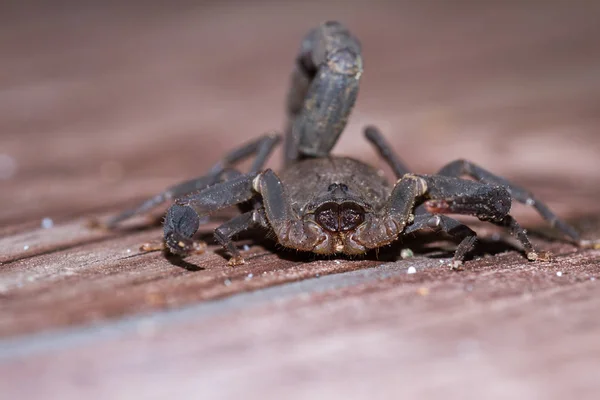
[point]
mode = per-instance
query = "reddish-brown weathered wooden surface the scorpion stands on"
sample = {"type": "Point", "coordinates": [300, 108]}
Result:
{"type": "Point", "coordinates": [104, 105]}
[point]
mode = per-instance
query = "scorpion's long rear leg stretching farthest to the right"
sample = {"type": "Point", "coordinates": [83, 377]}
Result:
{"type": "Point", "coordinates": [465, 168]}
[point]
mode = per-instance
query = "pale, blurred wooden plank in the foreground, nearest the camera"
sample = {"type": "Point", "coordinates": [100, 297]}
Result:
{"type": "Point", "coordinates": [493, 331]}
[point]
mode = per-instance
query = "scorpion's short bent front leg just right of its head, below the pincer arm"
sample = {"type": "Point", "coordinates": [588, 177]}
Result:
{"type": "Point", "coordinates": [452, 227]}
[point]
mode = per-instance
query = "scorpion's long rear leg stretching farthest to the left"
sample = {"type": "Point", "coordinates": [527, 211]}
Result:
{"type": "Point", "coordinates": [262, 147]}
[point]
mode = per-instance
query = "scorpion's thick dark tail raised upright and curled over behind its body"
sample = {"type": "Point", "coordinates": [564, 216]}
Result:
{"type": "Point", "coordinates": [324, 88]}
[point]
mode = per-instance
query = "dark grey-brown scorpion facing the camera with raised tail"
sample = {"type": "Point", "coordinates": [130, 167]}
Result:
{"type": "Point", "coordinates": [327, 204]}
